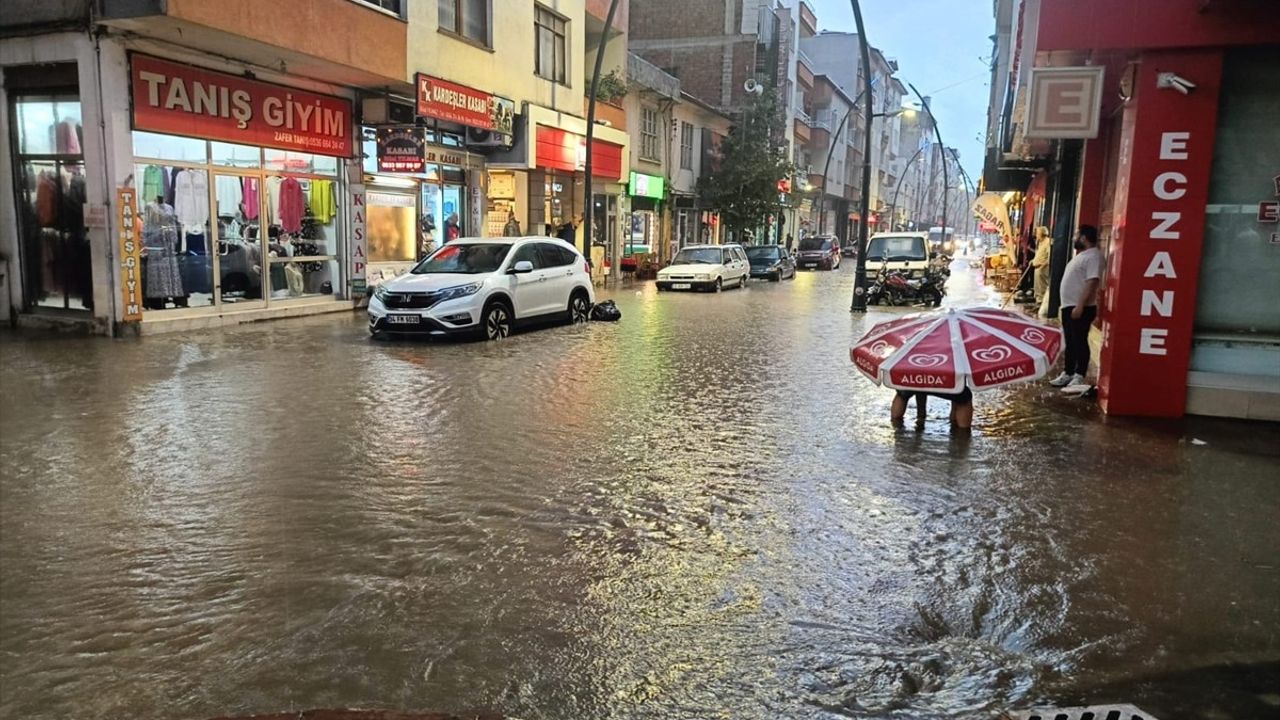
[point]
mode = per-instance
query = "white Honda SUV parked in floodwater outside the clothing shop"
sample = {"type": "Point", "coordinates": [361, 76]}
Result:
{"type": "Point", "coordinates": [486, 288]}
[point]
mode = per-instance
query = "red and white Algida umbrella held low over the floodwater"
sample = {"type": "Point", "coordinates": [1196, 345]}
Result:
{"type": "Point", "coordinates": [944, 352]}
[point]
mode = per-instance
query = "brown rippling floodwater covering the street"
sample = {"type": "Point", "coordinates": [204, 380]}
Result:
{"type": "Point", "coordinates": [701, 512]}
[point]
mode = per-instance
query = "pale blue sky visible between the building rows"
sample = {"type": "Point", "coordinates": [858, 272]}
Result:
{"type": "Point", "coordinates": [943, 48]}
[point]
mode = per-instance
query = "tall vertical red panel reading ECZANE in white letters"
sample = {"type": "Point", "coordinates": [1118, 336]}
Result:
{"type": "Point", "coordinates": [1158, 236]}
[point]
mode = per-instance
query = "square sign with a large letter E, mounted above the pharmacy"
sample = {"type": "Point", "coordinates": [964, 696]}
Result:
{"type": "Point", "coordinates": [1066, 103]}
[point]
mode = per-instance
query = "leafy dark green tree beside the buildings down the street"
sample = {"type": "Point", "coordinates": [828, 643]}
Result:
{"type": "Point", "coordinates": [744, 188]}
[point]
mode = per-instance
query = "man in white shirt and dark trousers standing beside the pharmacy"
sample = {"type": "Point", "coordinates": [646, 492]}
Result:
{"type": "Point", "coordinates": [1080, 302]}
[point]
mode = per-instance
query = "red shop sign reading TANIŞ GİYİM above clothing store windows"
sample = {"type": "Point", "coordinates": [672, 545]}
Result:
{"type": "Point", "coordinates": [177, 99]}
